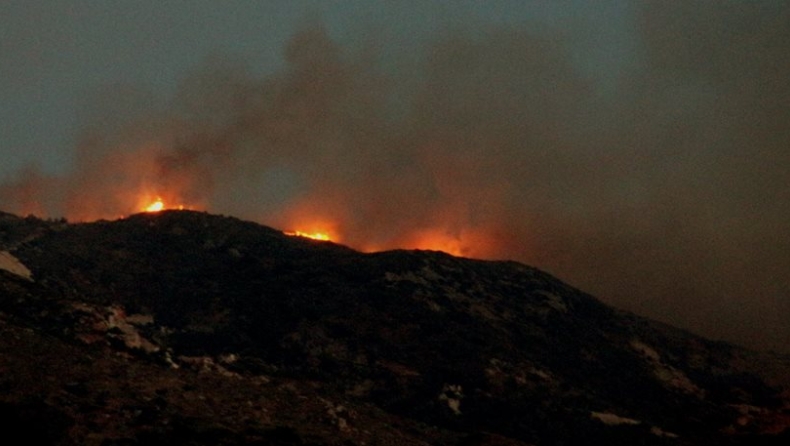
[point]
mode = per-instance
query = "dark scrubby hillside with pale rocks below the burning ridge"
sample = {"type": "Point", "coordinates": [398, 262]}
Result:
{"type": "Point", "coordinates": [293, 341]}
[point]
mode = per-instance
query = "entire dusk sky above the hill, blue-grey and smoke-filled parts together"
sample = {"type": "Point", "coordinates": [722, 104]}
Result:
{"type": "Point", "coordinates": [638, 149]}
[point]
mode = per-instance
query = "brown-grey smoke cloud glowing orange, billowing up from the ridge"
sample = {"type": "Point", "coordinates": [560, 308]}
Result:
{"type": "Point", "coordinates": [668, 195]}
